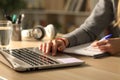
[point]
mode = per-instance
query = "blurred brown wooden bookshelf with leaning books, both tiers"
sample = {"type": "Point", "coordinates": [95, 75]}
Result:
{"type": "Point", "coordinates": [64, 17]}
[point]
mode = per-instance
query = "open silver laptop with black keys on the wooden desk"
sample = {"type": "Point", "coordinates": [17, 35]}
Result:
{"type": "Point", "coordinates": [27, 59]}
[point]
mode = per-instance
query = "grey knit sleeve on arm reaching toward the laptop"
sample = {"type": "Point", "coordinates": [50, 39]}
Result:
{"type": "Point", "coordinates": [101, 16]}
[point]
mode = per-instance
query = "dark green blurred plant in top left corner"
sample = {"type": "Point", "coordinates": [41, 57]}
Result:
{"type": "Point", "coordinates": [11, 6]}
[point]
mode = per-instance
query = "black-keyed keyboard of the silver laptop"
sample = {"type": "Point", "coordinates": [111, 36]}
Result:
{"type": "Point", "coordinates": [31, 57]}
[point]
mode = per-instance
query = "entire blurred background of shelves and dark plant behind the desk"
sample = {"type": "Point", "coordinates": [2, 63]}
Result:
{"type": "Point", "coordinates": [65, 15]}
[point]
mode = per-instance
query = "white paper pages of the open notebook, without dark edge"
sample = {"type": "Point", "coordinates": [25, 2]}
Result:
{"type": "Point", "coordinates": [84, 49]}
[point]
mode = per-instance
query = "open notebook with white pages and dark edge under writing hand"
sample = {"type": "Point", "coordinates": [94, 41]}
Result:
{"type": "Point", "coordinates": [87, 50]}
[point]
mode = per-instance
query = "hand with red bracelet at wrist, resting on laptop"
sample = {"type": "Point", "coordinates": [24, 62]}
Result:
{"type": "Point", "coordinates": [53, 45]}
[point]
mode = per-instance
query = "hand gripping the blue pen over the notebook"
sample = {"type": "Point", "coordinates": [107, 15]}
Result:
{"type": "Point", "coordinates": [111, 45]}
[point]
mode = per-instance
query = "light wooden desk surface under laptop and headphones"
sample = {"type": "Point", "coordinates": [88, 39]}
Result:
{"type": "Point", "coordinates": [94, 69]}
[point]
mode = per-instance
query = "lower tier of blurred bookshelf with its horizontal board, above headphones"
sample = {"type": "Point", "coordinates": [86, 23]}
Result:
{"type": "Point", "coordinates": [62, 20]}
